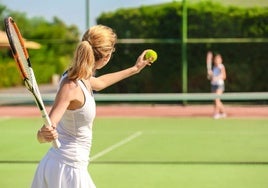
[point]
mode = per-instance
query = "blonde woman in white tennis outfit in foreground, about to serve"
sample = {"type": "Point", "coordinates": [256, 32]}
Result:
{"type": "Point", "coordinates": [74, 110]}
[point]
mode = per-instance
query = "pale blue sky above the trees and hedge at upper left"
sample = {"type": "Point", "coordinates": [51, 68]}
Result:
{"type": "Point", "coordinates": [73, 11]}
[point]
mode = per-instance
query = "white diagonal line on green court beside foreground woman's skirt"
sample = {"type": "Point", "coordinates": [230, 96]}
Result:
{"type": "Point", "coordinates": [112, 147]}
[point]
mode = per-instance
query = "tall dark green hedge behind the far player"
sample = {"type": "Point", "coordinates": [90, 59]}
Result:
{"type": "Point", "coordinates": [245, 62]}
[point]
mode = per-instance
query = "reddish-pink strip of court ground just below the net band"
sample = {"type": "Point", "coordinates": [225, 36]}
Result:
{"type": "Point", "coordinates": [125, 110]}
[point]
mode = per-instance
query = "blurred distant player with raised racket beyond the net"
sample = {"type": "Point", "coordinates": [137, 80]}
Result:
{"type": "Point", "coordinates": [217, 75]}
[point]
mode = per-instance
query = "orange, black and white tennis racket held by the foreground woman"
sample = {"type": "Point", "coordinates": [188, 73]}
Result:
{"type": "Point", "coordinates": [21, 57]}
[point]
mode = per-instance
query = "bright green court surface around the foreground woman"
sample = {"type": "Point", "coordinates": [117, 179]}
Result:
{"type": "Point", "coordinates": [151, 152]}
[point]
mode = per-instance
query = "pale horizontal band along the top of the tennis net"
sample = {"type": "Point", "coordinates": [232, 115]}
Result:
{"type": "Point", "coordinates": [26, 98]}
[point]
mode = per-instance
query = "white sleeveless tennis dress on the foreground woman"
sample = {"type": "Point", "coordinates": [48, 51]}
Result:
{"type": "Point", "coordinates": [66, 167]}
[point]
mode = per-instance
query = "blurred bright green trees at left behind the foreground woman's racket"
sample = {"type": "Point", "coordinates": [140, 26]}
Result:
{"type": "Point", "coordinates": [57, 41]}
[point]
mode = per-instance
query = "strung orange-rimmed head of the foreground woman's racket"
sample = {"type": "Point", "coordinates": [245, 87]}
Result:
{"type": "Point", "coordinates": [19, 50]}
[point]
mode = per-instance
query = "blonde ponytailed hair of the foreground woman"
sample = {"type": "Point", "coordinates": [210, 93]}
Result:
{"type": "Point", "coordinates": [97, 42]}
